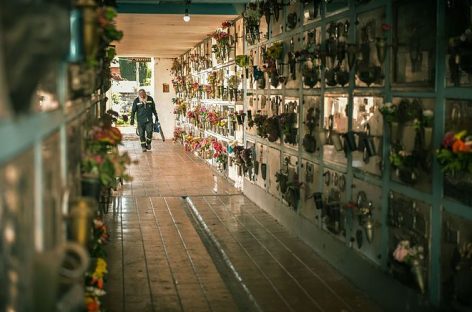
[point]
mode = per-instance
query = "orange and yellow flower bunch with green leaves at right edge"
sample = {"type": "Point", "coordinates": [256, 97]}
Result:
{"type": "Point", "coordinates": [455, 153]}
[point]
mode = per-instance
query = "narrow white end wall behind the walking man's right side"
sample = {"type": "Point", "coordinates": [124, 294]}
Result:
{"type": "Point", "coordinates": [164, 106]}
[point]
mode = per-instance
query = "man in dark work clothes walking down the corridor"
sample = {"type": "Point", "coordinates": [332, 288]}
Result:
{"type": "Point", "coordinates": [144, 107]}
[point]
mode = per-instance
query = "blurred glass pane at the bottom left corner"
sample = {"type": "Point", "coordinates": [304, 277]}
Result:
{"type": "Point", "coordinates": [17, 233]}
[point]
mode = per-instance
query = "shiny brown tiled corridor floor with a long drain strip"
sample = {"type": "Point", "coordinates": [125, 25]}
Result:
{"type": "Point", "coordinates": [170, 252]}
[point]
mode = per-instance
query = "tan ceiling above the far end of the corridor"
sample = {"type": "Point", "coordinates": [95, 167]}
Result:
{"type": "Point", "coordinates": [164, 35]}
